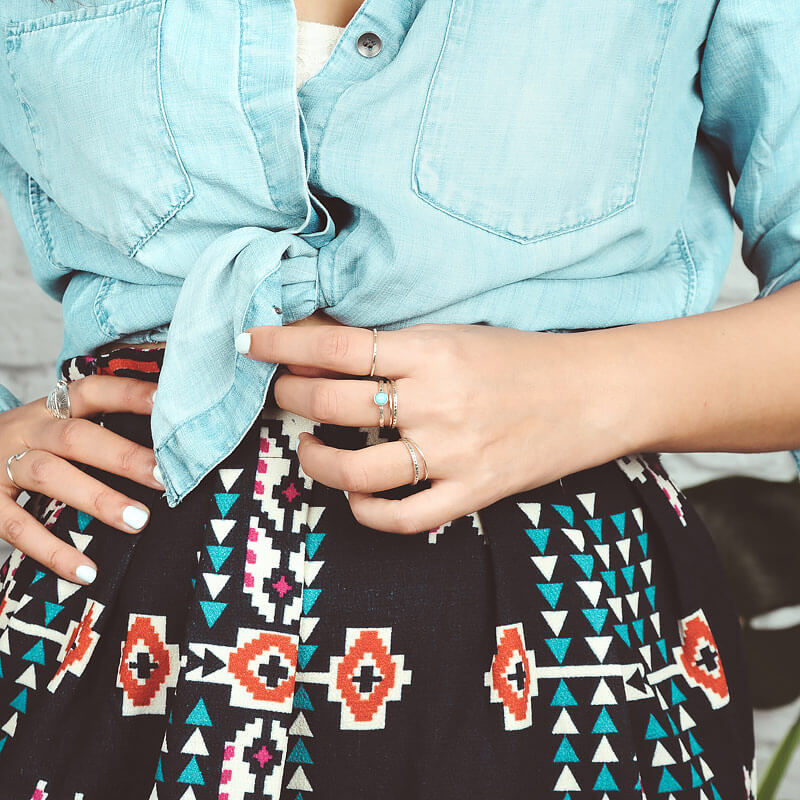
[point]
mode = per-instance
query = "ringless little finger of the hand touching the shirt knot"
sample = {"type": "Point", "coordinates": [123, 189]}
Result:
{"type": "Point", "coordinates": [419, 512]}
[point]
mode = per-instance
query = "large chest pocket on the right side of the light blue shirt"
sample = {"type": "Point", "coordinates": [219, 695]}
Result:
{"type": "Point", "coordinates": [537, 112]}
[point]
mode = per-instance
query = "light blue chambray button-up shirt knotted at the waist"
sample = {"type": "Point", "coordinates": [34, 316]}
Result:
{"type": "Point", "coordinates": [535, 164]}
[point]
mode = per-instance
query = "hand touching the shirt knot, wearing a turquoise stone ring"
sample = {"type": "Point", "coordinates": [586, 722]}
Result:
{"type": "Point", "coordinates": [494, 410]}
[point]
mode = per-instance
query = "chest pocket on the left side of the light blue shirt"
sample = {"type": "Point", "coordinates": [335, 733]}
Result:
{"type": "Point", "coordinates": [89, 81]}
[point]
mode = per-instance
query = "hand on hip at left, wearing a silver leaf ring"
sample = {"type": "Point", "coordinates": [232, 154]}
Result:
{"type": "Point", "coordinates": [45, 469]}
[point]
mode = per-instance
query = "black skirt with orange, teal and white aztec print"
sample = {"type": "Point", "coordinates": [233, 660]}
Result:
{"type": "Point", "coordinates": [572, 641]}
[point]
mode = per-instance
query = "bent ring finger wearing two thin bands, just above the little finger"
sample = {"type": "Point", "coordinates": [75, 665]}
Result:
{"type": "Point", "coordinates": [371, 469]}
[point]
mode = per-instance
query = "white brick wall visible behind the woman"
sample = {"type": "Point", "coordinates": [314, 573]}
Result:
{"type": "Point", "coordinates": [30, 340]}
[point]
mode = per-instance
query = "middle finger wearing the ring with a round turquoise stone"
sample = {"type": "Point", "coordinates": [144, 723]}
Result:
{"type": "Point", "coordinates": [340, 402]}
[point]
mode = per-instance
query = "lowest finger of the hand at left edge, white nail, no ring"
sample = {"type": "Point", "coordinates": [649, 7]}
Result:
{"type": "Point", "coordinates": [22, 531]}
